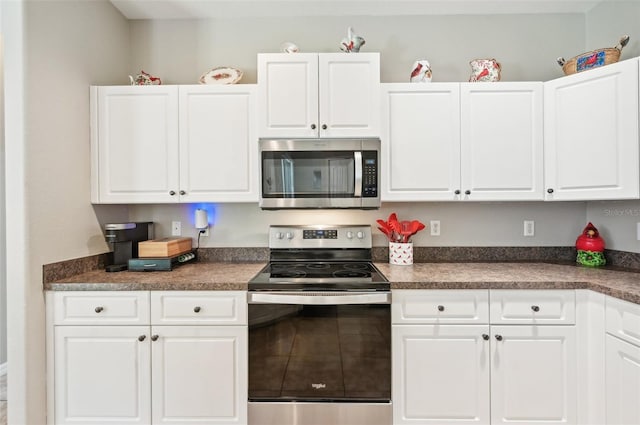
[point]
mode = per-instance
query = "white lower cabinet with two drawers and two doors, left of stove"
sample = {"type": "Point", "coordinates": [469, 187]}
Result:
{"type": "Point", "coordinates": [120, 367]}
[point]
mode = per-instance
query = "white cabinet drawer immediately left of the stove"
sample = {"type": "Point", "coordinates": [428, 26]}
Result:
{"type": "Point", "coordinates": [199, 307]}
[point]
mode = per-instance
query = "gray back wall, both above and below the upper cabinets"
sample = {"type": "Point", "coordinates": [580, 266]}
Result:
{"type": "Point", "coordinates": [179, 51]}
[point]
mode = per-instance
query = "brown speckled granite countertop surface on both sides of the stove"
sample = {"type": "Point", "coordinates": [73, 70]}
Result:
{"type": "Point", "coordinates": [235, 276]}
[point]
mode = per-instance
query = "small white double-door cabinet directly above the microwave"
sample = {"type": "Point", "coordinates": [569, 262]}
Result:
{"type": "Point", "coordinates": [308, 95]}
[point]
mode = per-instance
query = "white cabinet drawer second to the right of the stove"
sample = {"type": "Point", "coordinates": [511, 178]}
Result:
{"type": "Point", "coordinates": [535, 307]}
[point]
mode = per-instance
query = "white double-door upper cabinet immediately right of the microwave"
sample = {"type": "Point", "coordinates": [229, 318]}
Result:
{"type": "Point", "coordinates": [469, 141]}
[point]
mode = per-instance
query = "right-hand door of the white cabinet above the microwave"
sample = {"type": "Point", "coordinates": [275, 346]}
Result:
{"type": "Point", "coordinates": [349, 95]}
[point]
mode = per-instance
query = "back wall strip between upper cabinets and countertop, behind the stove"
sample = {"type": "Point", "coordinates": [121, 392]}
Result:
{"type": "Point", "coordinates": [462, 224]}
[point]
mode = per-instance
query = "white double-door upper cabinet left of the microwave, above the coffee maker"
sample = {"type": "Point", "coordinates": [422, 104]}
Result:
{"type": "Point", "coordinates": [159, 144]}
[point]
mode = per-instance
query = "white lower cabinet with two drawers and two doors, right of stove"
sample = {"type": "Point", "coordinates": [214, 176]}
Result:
{"type": "Point", "coordinates": [452, 370]}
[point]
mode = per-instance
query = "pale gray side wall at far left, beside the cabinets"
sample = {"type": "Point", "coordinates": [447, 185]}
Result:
{"type": "Point", "coordinates": [65, 47]}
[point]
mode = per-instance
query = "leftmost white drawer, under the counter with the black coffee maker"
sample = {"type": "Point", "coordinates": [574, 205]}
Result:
{"type": "Point", "coordinates": [101, 308]}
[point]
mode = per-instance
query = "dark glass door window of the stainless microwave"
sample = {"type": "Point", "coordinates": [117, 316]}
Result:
{"type": "Point", "coordinates": [308, 174]}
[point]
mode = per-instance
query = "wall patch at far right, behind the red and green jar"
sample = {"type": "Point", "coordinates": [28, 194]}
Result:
{"type": "Point", "coordinates": [617, 223]}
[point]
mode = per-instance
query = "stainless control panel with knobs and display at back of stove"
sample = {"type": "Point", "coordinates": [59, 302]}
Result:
{"type": "Point", "coordinates": [332, 236]}
